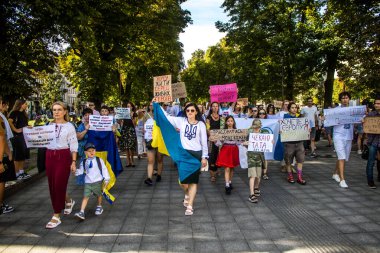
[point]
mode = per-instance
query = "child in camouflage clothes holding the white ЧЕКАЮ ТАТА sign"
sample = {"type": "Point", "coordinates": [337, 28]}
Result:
{"type": "Point", "coordinates": [255, 161]}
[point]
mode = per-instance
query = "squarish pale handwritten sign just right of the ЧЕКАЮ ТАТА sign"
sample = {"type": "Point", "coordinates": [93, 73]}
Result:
{"type": "Point", "coordinates": [294, 129]}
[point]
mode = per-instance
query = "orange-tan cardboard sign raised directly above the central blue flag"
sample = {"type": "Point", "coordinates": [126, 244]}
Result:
{"type": "Point", "coordinates": [162, 88]}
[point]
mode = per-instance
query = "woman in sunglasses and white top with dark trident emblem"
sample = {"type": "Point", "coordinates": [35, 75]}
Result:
{"type": "Point", "coordinates": [193, 137]}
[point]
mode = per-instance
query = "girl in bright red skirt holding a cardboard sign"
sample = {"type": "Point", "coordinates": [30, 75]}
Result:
{"type": "Point", "coordinates": [228, 155]}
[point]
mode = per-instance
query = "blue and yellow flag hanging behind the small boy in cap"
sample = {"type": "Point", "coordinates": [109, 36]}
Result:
{"type": "Point", "coordinates": [106, 149]}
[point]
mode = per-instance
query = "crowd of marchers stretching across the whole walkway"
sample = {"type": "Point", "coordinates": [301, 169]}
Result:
{"type": "Point", "coordinates": [137, 136]}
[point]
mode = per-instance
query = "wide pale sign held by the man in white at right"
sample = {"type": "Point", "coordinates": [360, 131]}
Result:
{"type": "Point", "coordinates": [344, 115]}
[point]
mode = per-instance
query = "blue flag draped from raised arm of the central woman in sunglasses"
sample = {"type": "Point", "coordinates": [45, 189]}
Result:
{"type": "Point", "coordinates": [186, 163]}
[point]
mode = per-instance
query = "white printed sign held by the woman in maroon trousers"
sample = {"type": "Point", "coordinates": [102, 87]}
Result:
{"type": "Point", "coordinates": [40, 137]}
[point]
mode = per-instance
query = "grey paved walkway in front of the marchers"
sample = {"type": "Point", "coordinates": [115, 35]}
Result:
{"type": "Point", "coordinates": [317, 217]}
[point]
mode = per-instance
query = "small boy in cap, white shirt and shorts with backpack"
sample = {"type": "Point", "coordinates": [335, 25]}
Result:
{"type": "Point", "coordinates": [95, 173]}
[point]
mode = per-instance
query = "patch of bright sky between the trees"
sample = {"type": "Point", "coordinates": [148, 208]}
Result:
{"type": "Point", "coordinates": [202, 33]}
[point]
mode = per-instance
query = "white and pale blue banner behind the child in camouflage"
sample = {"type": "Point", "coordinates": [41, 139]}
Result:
{"type": "Point", "coordinates": [269, 126]}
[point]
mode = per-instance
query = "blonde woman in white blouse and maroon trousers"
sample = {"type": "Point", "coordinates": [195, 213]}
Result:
{"type": "Point", "coordinates": [59, 161]}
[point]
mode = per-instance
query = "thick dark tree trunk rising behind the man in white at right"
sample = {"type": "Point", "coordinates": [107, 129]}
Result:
{"type": "Point", "coordinates": [331, 61]}
